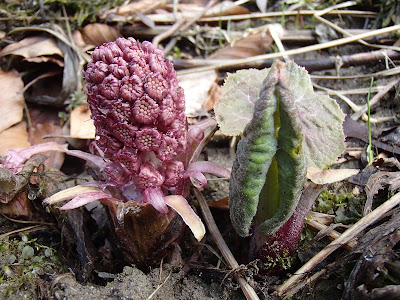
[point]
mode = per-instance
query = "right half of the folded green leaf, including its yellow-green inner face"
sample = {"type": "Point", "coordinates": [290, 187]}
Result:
{"type": "Point", "coordinates": [290, 160]}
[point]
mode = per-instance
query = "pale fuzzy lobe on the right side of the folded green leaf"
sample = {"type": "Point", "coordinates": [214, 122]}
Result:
{"type": "Point", "coordinates": [320, 117]}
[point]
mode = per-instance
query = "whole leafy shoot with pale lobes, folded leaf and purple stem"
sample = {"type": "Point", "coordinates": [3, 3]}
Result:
{"type": "Point", "coordinates": [287, 128]}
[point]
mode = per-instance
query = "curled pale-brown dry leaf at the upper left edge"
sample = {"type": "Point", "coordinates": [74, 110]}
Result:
{"type": "Point", "coordinates": [35, 49]}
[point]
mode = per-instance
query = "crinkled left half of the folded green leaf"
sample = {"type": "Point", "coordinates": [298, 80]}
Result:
{"type": "Point", "coordinates": [254, 155]}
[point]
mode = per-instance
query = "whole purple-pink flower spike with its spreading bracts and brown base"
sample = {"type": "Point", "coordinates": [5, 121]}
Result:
{"type": "Point", "coordinates": [144, 151]}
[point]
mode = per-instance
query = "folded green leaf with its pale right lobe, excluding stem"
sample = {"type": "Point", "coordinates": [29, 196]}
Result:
{"type": "Point", "coordinates": [292, 128]}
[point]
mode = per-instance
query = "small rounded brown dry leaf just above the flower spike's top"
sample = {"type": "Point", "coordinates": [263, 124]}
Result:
{"type": "Point", "coordinates": [97, 34]}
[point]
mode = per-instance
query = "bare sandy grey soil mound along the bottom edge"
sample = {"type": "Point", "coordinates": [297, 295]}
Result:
{"type": "Point", "coordinates": [133, 284]}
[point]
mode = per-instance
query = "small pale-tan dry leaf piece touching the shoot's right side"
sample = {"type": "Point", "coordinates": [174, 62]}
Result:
{"type": "Point", "coordinates": [319, 176]}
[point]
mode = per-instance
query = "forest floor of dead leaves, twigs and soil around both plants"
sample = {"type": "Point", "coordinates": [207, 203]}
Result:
{"type": "Point", "coordinates": [44, 50]}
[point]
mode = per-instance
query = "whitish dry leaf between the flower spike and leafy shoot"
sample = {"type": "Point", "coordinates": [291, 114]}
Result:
{"type": "Point", "coordinates": [198, 89]}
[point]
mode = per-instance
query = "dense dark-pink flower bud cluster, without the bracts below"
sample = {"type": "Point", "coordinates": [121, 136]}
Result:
{"type": "Point", "coordinates": [138, 110]}
